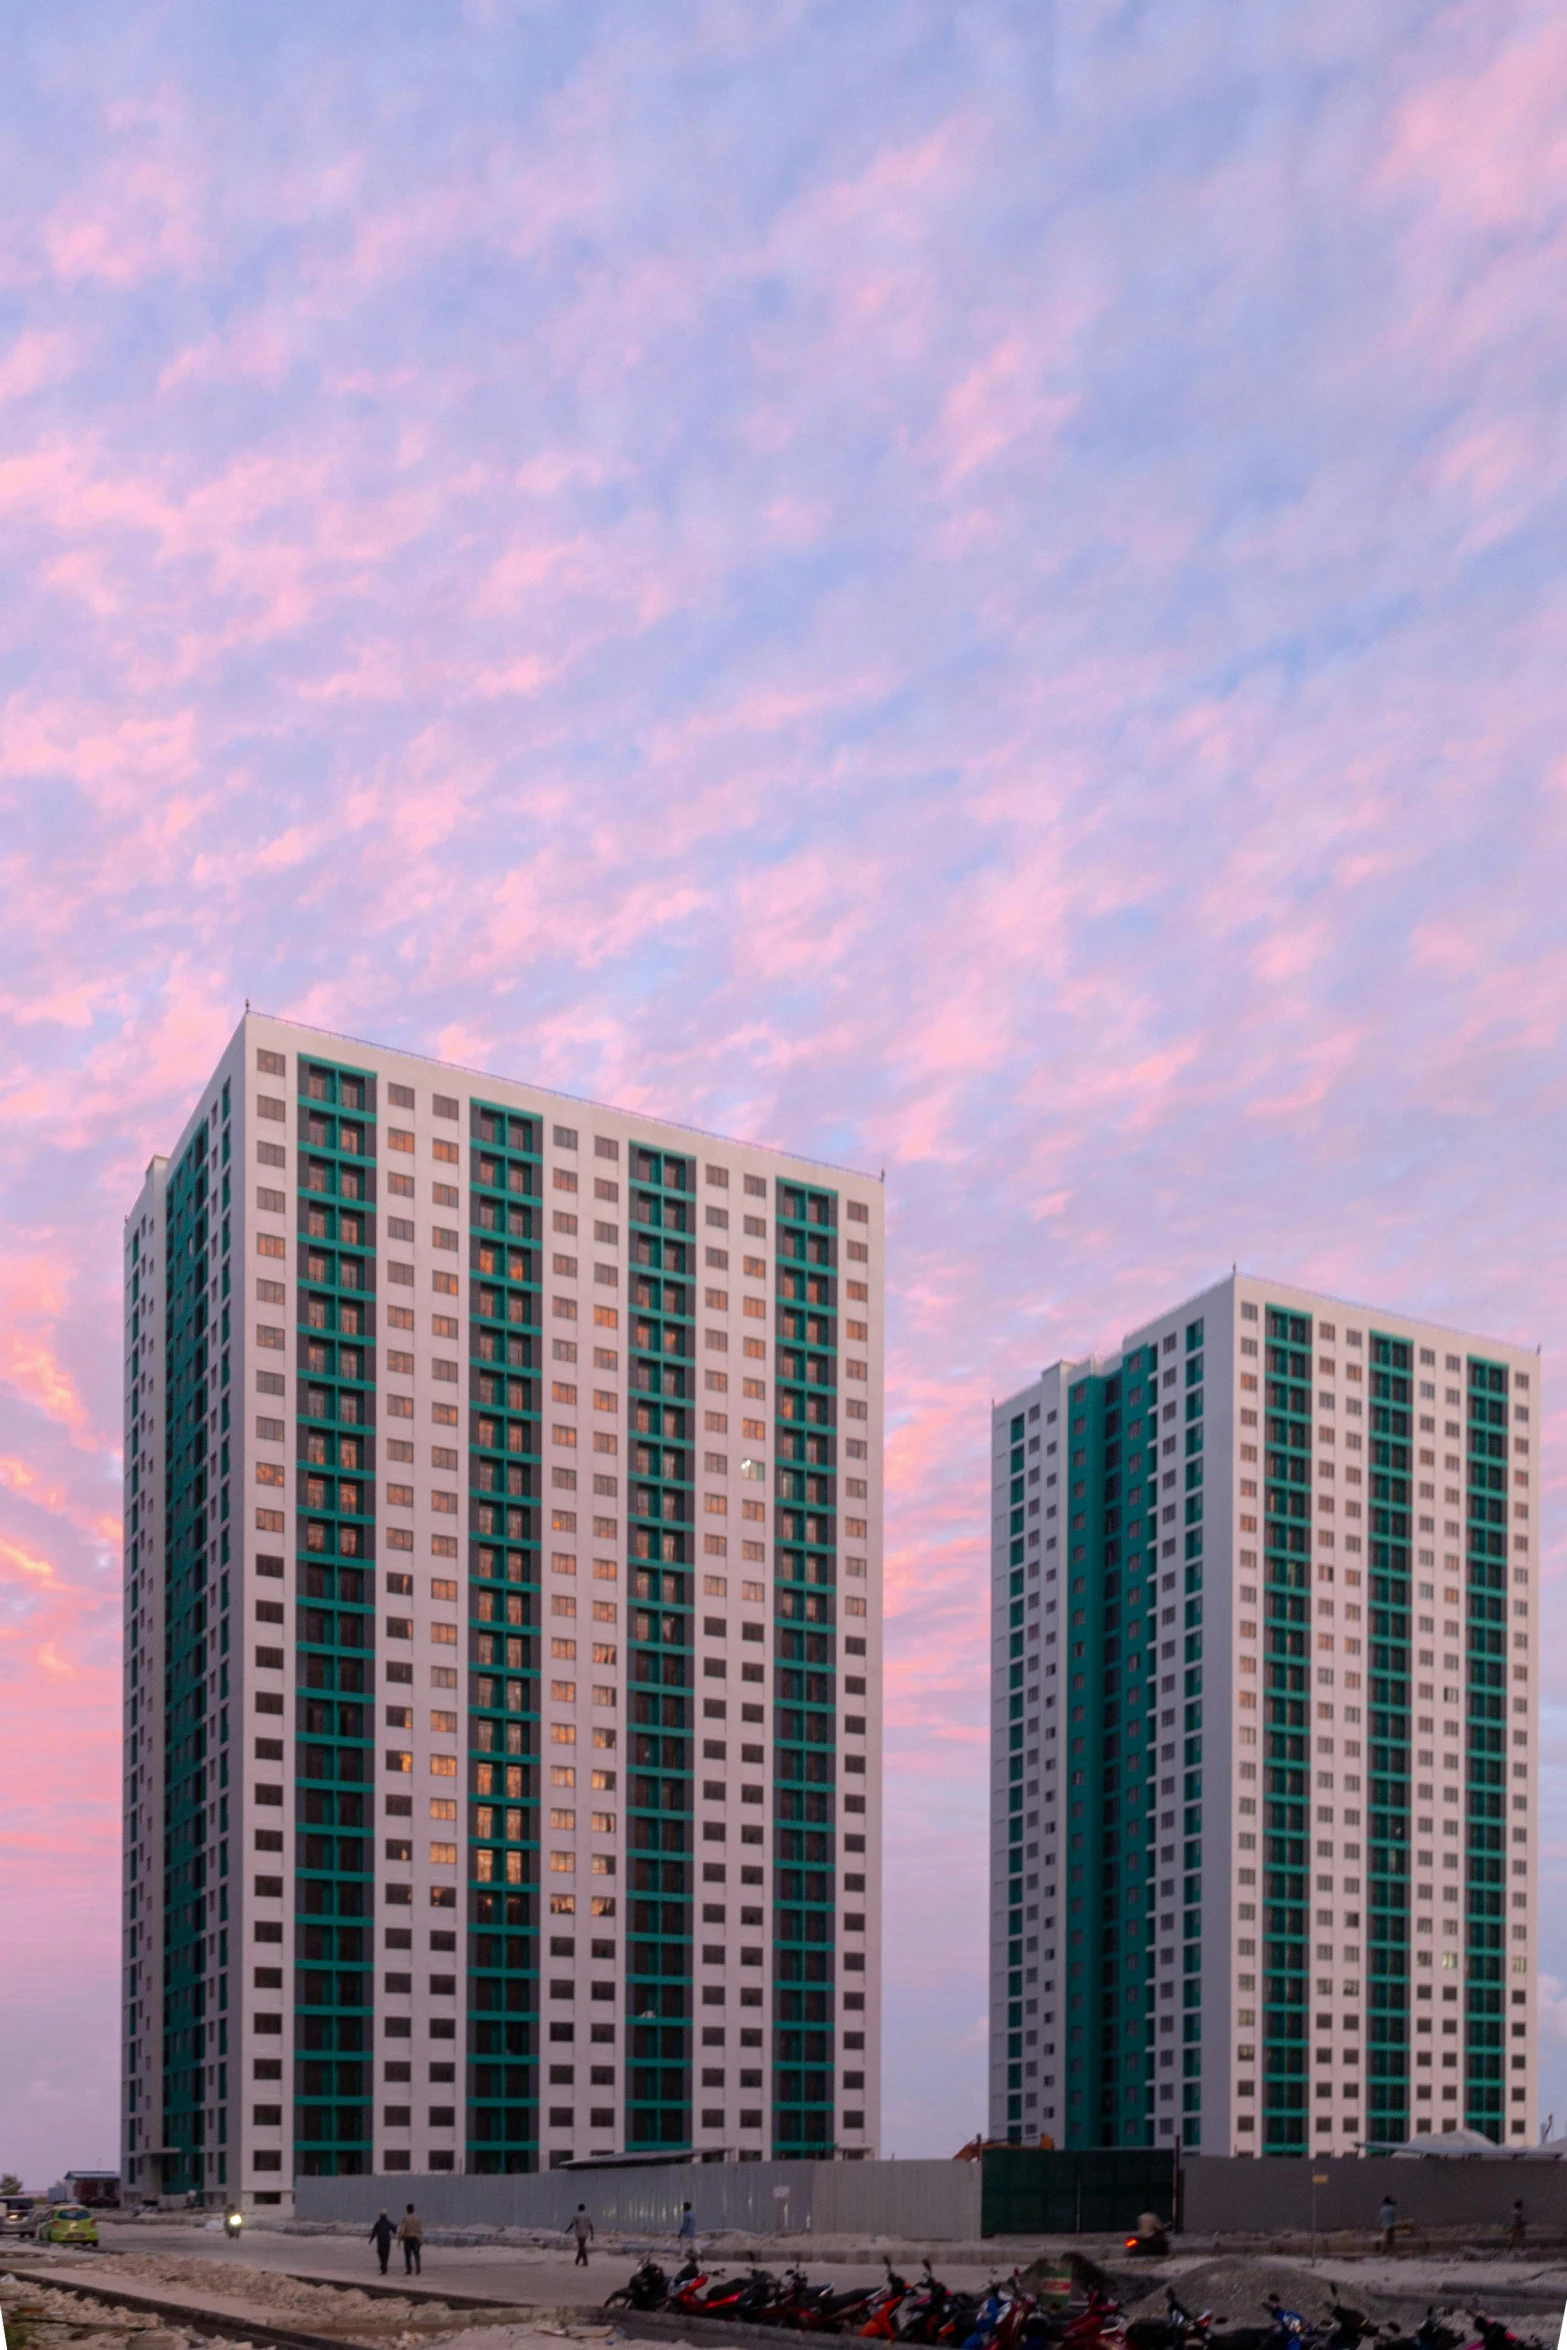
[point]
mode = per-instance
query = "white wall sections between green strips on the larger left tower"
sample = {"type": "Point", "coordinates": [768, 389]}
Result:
{"type": "Point", "coordinates": [257, 1451]}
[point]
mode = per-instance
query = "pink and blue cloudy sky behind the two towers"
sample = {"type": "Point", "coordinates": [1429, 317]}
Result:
{"type": "Point", "coordinates": [967, 589]}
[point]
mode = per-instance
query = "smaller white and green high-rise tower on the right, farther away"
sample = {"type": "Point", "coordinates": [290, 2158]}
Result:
{"type": "Point", "coordinates": [1263, 1733]}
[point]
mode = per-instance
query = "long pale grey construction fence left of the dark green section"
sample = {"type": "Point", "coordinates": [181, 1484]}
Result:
{"type": "Point", "coordinates": [939, 2201]}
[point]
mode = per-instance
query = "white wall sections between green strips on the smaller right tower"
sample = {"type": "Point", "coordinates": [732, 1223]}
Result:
{"type": "Point", "coordinates": [1441, 1822]}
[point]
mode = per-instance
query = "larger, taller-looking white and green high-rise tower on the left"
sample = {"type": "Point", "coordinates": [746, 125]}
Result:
{"type": "Point", "coordinates": [504, 1634]}
